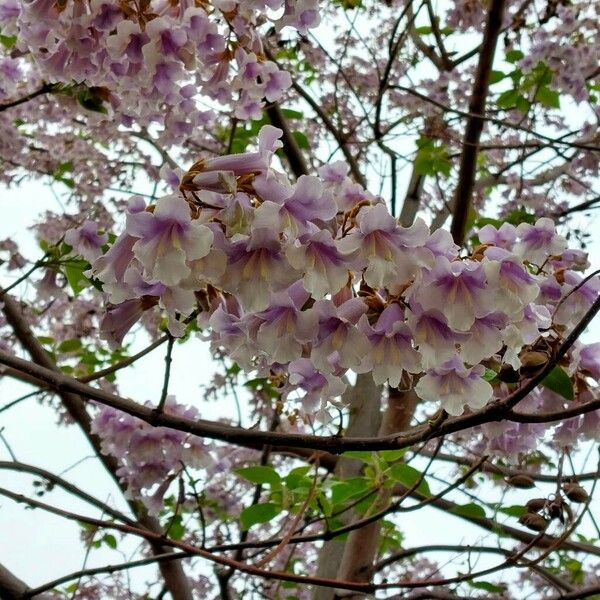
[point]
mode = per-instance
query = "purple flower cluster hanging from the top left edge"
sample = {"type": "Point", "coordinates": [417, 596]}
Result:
{"type": "Point", "coordinates": [139, 58]}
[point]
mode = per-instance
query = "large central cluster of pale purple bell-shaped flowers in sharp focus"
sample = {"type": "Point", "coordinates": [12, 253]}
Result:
{"type": "Point", "coordinates": [304, 281]}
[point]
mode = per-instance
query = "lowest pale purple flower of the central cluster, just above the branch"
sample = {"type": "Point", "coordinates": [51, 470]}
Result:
{"type": "Point", "coordinates": [455, 386]}
